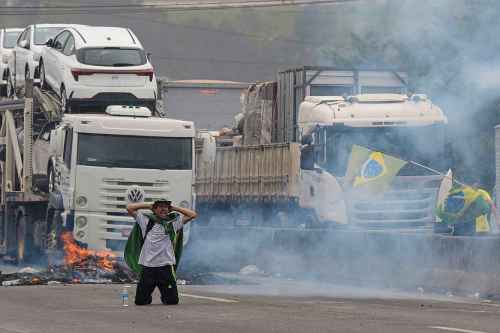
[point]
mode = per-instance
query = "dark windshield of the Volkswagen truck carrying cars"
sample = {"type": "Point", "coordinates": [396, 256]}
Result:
{"type": "Point", "coordinates": [135, 152]}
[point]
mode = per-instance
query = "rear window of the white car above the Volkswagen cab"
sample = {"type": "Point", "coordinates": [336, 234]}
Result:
{"type": "Point", "coordinates": [112, 57]}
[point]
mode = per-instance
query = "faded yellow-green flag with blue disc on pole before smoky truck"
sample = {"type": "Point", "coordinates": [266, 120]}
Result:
{"type": "Point", "coordinates": [371, 172]}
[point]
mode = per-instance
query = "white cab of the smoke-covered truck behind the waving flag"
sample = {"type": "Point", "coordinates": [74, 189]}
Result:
{"type": "Point", "coordinates": [408, 127]}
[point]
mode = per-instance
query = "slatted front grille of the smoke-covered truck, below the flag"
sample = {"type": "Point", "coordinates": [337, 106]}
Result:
{"type": "Point", "coordinates": [410, 202]}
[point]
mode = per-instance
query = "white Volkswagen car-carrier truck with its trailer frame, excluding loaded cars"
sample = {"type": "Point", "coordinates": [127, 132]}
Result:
{"type": "Point", "coordinates": [77, 172]}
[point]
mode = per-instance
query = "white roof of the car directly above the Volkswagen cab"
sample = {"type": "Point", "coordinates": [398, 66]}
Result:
{"type": "Point", "coordinates": [107, 36]}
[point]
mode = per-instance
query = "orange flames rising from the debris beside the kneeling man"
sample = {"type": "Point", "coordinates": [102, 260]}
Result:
{"type": "Point", "coordinates": [74, 254]}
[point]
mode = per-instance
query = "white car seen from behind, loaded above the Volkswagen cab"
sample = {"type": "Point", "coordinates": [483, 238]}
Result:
{"type": "Point", "coordinates": [98, 66]}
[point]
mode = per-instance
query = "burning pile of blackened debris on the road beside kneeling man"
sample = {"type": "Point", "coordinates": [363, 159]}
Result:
{"type": "Point", "coordinates": [79, 265]}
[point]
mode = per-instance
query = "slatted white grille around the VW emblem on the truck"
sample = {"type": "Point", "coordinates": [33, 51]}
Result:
{"type": "Point", "coordinates": [113, 193]}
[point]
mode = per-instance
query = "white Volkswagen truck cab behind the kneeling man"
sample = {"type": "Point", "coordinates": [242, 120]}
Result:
{"type": "Point", "coordinates": [101, 162]}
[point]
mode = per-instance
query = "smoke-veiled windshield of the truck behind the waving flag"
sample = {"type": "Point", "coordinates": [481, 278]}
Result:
{"type": "Point", "coordinates": [424, 145]}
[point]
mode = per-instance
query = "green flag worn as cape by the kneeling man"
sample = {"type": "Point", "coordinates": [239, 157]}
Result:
{"type": "Point", "coordinates": [135, 241]}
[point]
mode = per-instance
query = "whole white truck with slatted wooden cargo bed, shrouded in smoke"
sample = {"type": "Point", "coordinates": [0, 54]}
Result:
{"type": "Point", "coordinates": [297, 179]}
